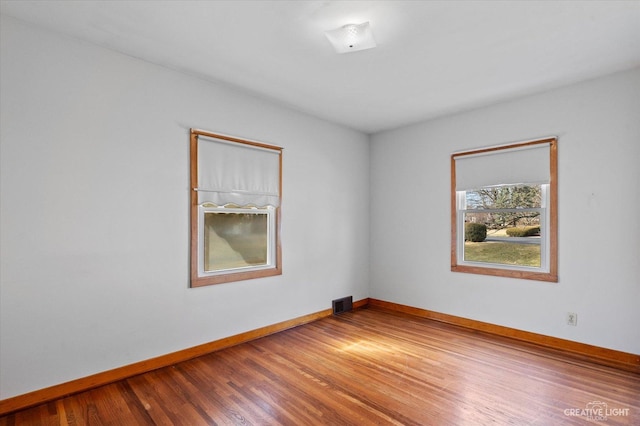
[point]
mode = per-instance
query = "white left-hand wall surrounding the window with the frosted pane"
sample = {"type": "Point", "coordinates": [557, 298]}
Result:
{"type": "Point", "coordinates": [95, 185]}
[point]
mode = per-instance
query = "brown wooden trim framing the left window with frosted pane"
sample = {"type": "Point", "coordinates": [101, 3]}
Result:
{"type": "Point", "coordinates": [196, 279]}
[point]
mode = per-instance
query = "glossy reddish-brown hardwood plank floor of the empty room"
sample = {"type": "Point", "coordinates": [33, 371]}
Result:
{"type": "Point", "coordinates": [364, 367]}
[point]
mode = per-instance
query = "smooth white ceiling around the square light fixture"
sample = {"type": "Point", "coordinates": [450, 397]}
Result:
{"type": "Point", "coordinates": [433, 57]}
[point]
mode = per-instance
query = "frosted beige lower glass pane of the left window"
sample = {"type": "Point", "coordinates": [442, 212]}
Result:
{"type": "Point", "coordinates": [235, 240]}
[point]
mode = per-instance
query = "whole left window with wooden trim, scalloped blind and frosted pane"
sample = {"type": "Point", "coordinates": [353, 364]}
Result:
{"type": "Point", "coordinates": [235, 209]}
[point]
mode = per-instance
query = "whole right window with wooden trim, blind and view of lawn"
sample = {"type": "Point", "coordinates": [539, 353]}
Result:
{"type": "Point", "coordinates": [504, 211]}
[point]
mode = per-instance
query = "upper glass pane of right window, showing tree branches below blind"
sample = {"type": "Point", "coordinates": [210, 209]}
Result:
{"type": "Point", "coordinates": [505, 197]}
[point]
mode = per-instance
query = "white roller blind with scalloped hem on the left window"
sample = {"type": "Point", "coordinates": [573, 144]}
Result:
{"type": "Point", "coordinates": [237, 173]}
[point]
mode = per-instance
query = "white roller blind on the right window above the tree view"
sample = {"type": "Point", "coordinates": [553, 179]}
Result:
{"type": "Point", "coordinates": [528, 164]}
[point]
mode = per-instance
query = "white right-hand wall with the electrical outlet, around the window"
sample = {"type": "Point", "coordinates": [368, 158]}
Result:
{"type": "Point", "coordinates": [598, 125]}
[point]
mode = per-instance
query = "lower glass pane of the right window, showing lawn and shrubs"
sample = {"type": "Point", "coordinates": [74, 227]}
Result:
{"type": "Point", "coordinates": [508, 241]}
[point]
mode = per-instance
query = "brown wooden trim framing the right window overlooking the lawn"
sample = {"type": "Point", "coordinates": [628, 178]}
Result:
{"type": "Point", "coordinates": [552, 214]}
